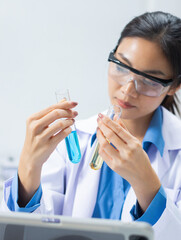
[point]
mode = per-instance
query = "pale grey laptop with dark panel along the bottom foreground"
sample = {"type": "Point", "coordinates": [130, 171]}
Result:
{"type": "Point", "coordinates": [24, 226]}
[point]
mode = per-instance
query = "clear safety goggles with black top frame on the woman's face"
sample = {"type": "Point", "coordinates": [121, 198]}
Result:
{"type": "Point", "coordinates": [145, 84]}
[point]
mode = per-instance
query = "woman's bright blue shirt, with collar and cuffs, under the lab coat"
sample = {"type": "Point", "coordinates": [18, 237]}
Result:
{"type": "Point", "coordinates": [112, 187]}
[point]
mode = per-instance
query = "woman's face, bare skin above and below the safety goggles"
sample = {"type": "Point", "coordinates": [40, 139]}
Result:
{"type": "Point", "coordinates": [145, 56]}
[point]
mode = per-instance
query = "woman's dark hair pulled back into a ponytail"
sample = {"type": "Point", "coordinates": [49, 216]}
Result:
{"type": "Point", "coordinates": [164, 29]}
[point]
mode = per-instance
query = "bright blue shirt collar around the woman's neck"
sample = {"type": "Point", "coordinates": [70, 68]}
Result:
{"type": "Point", "coordinates": [153, 134]}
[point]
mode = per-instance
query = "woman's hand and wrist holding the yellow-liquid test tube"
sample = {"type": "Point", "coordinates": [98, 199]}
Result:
{"type": "Point", "coordinates": [129, 159]}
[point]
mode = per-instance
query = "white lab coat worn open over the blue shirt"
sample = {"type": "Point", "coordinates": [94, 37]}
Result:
{"type": "Point", "coordinates": [71, 189]}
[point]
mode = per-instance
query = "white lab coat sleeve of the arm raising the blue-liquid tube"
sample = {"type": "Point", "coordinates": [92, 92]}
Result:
{"type": "Point", "coordinates": [52, 182]}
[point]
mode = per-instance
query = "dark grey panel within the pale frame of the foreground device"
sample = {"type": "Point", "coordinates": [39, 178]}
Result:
{"type": "Point", "coordinates": [20, 232]}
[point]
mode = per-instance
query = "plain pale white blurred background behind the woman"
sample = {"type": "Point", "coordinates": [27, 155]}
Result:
{"type": "Point", "coordinates": [49, 45]}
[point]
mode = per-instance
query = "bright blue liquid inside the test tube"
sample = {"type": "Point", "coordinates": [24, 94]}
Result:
{"type": "Point", "coordinates": [73, 147]}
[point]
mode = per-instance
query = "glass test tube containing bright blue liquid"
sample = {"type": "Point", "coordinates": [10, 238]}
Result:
{"type": "Point", "coordinates": [72, 142]}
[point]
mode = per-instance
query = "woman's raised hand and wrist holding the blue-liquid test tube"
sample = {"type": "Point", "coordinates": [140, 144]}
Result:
{"type": "Point", "coordinates": [44, 131]}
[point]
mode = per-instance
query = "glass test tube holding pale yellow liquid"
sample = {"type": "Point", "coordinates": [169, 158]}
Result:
{"type": "Point", "coordinates": [114, 112]}
